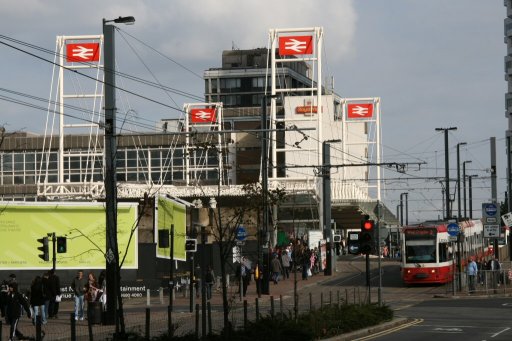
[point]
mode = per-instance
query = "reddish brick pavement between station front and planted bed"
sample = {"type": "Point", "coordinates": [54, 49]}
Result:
{"type": "Point", "coordinates": [137, 308]}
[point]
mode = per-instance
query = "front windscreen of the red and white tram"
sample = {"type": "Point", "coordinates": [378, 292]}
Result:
{"type": "Point", "coordinates": [420, 246]}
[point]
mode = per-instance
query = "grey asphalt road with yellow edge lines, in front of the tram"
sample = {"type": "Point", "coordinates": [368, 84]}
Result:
{"type": "Point", "coordinates": [434, 312]}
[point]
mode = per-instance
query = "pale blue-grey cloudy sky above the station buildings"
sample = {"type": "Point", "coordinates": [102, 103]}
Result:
{"type": "Point", "coordinates": [434, 64]}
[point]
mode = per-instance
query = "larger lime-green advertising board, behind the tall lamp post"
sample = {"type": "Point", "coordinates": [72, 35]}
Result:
{"type": "Point", "coordinates": [82, 223]}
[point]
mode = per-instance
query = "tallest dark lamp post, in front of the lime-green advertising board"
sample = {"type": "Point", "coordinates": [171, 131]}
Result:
{"type": "Point", "coordinates": [112, 253]}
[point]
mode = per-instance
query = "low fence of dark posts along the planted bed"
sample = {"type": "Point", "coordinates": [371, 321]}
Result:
{"type": "Point", "coordinates": [154, 321]}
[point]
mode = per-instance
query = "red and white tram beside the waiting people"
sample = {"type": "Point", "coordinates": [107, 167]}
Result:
{"type": "Point", "coordinates": [430, 257]}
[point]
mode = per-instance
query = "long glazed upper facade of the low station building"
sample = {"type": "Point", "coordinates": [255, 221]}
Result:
{"type": "Point", "coordinates": [137, 165]}
